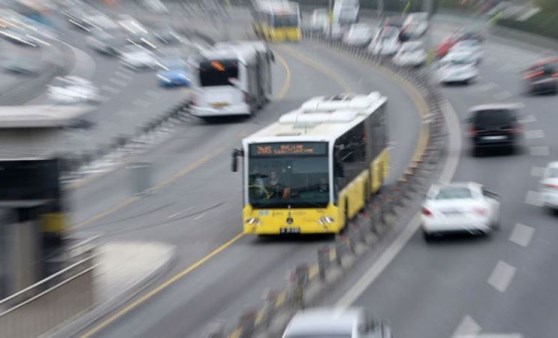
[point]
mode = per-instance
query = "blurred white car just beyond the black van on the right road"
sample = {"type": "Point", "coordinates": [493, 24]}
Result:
{"type": "Point", "coordinates": [457, 67]}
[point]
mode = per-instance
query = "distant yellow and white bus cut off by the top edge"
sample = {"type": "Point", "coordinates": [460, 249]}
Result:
{"type": "Point", "coordinates": [277, 20]}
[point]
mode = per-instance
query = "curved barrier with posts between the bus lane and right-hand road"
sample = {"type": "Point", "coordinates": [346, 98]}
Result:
{"type": "Point", "coordinates": [307, 281]}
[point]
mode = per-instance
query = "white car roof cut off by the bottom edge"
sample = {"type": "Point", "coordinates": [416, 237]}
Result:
{"type": "Point", "coordinates": [329, 322]}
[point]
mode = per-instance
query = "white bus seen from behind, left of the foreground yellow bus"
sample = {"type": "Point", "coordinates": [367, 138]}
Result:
{"type": "Point", "coordinates": [232, 78]}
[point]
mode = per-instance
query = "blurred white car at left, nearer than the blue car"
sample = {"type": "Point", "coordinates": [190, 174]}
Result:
{"type": "Point", "coordinates": [73, 90]}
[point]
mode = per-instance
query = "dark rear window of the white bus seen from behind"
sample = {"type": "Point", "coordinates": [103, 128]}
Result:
{"type": "Point", "coordinates": [218, 72]}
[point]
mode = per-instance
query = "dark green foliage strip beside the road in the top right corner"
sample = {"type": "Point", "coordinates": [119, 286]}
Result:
{"type": "Point", "coordinates": [543, 23]}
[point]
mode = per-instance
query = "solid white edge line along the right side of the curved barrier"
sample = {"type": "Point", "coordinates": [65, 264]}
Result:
{"type": "Point", "coordinates": [397, 245]}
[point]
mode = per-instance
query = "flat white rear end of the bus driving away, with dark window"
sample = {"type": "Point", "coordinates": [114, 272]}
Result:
{"type": "Point", "coordinates": [219, 89]}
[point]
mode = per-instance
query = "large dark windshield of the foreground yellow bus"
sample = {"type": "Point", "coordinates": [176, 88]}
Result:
{"type": "Point", "coordinates": [293, 180]}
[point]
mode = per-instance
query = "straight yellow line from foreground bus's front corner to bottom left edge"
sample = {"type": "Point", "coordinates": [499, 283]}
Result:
{"type": "Point", "coordinates": [161, 287]}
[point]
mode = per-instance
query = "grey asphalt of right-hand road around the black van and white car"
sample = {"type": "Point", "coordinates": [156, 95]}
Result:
{"type": "Point", "coordinates": [503, 284]}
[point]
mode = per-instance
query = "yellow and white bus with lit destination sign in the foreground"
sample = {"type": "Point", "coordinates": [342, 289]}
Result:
{"type": "Point", "coordinates": [314, 169]}
